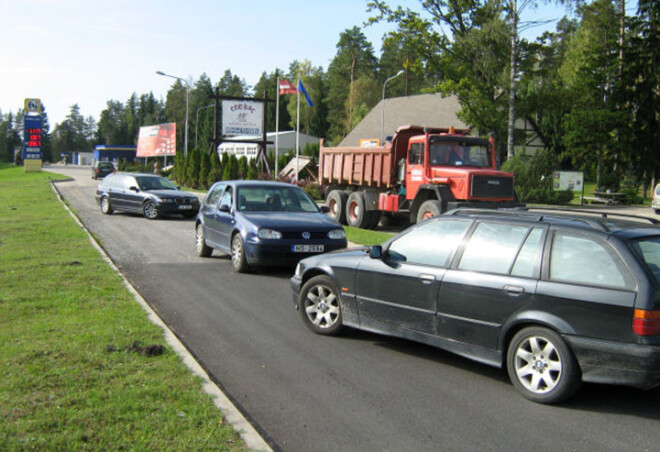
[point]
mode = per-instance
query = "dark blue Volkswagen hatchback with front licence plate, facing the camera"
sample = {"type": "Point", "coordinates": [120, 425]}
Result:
{"type": "Point", "coordinates": [263, 224]}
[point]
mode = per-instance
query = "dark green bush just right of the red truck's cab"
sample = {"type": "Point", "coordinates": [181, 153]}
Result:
{"type": "Point", "coordinates": [533, 178]}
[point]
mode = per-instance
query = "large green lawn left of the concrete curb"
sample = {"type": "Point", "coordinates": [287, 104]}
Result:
{"type": "Point", "coordinates": [70, 378]}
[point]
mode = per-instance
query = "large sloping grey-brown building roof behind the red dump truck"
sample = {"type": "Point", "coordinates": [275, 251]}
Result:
{"type": "Point", "coordinates": [426, 110]}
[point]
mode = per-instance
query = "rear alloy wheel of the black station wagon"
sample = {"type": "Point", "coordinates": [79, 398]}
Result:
{"type": "Point", "coordinates": [542, 367]}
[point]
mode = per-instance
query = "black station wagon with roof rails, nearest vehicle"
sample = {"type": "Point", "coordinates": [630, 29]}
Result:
{"type": "Point", "coordinates": [555, 298]}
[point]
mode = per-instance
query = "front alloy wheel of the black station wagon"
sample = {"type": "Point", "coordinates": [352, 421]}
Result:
{"type": "Point", "coordinates": [320, 307]}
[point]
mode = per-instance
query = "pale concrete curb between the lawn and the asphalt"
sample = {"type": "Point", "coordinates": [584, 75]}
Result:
{"type": "Point", "coordinates": [231, 413]}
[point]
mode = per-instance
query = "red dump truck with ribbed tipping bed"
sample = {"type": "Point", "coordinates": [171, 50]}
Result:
{"type": "Point", "coordinates": [420, 173]}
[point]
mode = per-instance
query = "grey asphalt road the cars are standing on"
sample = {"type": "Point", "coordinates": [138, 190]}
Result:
{"type": "Point", "coordinates": [361, 391]}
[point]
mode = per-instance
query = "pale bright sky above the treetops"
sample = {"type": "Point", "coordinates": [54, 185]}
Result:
{"type": "Point", "coordinates": [88, 52]}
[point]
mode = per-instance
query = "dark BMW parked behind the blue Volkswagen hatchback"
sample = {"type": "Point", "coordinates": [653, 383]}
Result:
{"type": "Point", "coordinates": [152, 196]}
